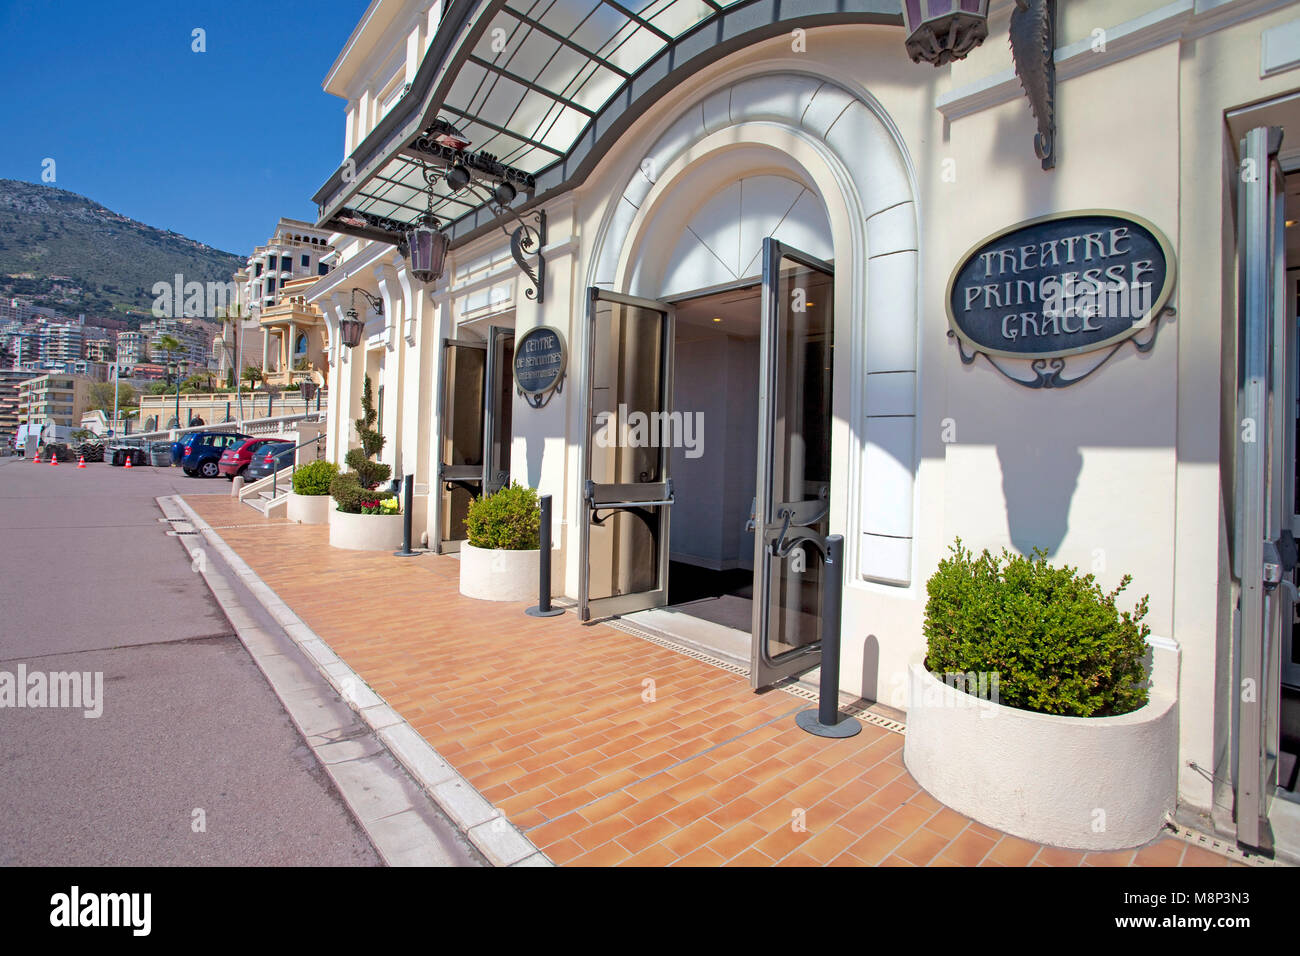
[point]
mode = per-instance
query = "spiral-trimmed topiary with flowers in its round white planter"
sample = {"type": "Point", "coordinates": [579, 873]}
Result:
{"type": "Point", "coordinates": [362, 521]}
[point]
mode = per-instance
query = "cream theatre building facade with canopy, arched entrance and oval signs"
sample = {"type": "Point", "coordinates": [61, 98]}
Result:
{"type": "Point", "coordinates": [829, 262]}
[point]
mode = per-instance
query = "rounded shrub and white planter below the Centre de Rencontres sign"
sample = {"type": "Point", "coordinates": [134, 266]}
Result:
{"type": "Point", "coordinates": [499, 563]}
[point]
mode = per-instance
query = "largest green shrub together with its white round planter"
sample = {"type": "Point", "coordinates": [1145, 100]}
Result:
{"type": "Point", "coordinates": [1034, 711]}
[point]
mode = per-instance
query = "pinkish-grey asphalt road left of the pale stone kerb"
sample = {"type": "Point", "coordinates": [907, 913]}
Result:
{"type": "Point", "coordinates": [190, 732]}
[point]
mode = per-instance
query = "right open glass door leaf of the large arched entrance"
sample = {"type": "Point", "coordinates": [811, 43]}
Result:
{"type": "Point", "coordinates": [794, 488]}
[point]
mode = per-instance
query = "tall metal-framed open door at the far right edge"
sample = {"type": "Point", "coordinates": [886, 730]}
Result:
{"type": "Point", "coordinates": [1264, 546]}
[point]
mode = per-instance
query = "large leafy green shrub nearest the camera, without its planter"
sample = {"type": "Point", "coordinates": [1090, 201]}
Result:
{"type": "Point", "coordinates": [1055, 639]}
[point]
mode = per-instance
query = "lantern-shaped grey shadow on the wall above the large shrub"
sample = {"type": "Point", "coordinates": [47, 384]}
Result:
{"type": "Point", "coordinates": [1038, 483]}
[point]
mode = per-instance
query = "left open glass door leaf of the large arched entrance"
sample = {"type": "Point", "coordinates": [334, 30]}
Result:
{"type": "Point", "coordinates": [627, 494]}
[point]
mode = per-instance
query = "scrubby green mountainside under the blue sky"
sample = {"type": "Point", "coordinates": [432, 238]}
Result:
{"type": "Point", "coordinates": [66, 252]}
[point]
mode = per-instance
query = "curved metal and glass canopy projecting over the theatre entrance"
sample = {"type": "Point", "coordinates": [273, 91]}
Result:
{"type": "Point", "coordinates": [543, 89]}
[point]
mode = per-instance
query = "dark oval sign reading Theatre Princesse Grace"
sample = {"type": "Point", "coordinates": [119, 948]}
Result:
{"type": "Point", "coordinates": [1061, 285]}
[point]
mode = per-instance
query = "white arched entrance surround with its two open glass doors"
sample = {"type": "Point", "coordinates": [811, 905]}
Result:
{"type": "Point", "coordinates": [717, 306]}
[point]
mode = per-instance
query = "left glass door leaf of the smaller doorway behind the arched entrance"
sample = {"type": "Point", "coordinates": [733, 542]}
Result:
{"type": "Point", "coordinates": [462, 439]}
